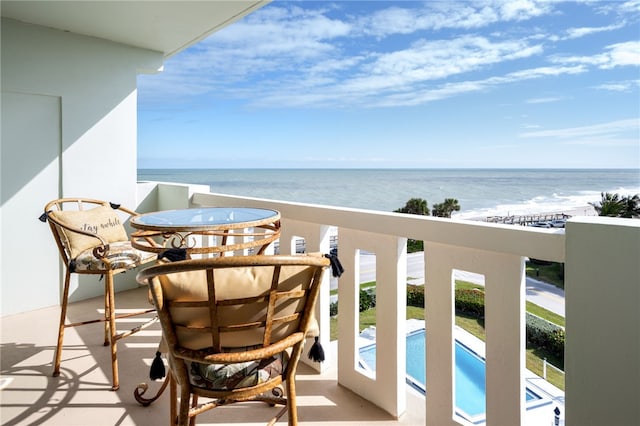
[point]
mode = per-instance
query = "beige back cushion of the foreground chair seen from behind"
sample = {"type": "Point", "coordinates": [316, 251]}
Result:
{"type": "Point", "coordinates": [249, 286]}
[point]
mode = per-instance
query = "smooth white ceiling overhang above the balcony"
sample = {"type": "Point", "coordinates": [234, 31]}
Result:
{"type": "Point", "coordinates": [163, 26]}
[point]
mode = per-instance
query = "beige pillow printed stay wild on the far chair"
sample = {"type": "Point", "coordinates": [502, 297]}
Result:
{"type": "Point", "coordinates": [103, 221]}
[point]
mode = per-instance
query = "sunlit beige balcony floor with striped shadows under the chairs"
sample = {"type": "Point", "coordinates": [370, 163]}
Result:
{"type": "Point", "coordinates": [81, 395]}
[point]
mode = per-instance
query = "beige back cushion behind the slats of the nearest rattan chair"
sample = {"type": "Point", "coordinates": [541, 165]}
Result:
{"type": "Point", "coordinates": [230, 284]}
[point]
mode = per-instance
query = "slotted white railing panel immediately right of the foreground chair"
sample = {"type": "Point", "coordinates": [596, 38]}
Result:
{"type": "Point", "coordinates": [387, 389]}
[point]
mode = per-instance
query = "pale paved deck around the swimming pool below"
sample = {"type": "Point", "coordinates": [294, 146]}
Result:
{"type": "Point", "coordinates": [537, 413]}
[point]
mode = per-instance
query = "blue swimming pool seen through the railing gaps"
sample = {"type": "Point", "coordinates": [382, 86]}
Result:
{"type": "Point", "coordinates": [470, 374]}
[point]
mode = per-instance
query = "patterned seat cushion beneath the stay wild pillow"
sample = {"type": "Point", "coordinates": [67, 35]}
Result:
{"type": "Point", "coordinates": [121, 256]}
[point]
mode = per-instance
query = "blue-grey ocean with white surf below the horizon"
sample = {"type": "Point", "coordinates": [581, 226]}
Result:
{"type": "Point", "coordinates": [480, 192]}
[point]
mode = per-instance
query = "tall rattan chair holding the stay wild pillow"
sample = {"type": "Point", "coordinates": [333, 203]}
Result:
{"type": "Point", "coordinates": [92, 240]}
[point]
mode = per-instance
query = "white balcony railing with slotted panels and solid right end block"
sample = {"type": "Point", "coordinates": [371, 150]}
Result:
{"type": "Point", "coordinates": [602, 288]}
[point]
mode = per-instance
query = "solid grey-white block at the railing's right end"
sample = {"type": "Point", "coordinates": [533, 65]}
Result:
{"type": "Point", "coordinates": [602, 294]}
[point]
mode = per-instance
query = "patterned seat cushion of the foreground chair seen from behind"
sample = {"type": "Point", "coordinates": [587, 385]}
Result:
{"type": "Point", "coordinates": [236, 376]}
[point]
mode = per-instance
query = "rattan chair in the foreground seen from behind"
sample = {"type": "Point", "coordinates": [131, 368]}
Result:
{"type": "Point", "coordinates": [235, 328]}
